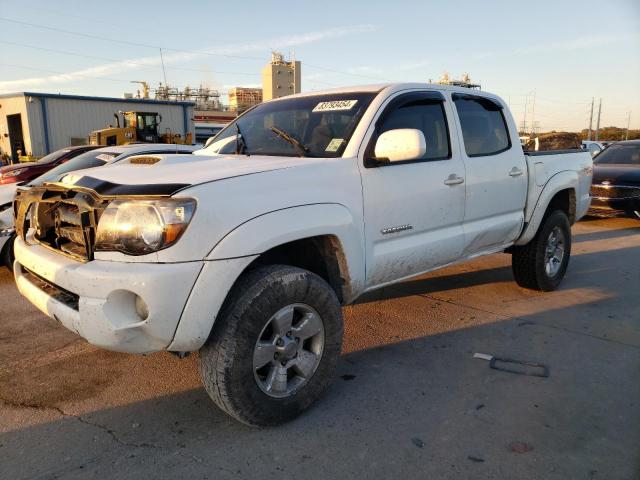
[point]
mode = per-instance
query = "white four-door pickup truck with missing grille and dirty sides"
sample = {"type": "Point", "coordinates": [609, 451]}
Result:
{"type": "Point", "coordinates": [312, 200]}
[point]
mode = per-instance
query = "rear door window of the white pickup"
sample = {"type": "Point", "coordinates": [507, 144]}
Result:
{"type": "Point", "coordinates": [484, 128]}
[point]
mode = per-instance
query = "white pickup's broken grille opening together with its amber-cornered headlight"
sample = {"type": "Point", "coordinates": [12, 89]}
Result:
{"type": "Point", "coordinates": [78, 220]}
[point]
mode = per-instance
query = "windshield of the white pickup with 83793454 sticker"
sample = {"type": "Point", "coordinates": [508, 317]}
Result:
{"type": "Point", "coordinates": [314, 126]}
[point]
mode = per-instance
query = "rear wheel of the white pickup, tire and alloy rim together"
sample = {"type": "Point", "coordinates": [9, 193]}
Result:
{"type": "Point", "coordinates": [542, 263]}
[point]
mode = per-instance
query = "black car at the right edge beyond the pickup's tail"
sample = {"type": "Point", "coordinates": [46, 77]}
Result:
{"type": "Point", "coordinates": [616, 181]}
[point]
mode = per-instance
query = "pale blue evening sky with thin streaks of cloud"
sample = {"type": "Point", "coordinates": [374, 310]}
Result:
{"type": "Point", "coordinates": [545, 58]}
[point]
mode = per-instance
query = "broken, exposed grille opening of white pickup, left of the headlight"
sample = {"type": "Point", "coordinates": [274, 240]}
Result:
{"type": "Point", "coordinates": [60, 218]}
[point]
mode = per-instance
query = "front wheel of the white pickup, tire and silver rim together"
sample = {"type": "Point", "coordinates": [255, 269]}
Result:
{"type": "Point", "coordinates": [274, 347]}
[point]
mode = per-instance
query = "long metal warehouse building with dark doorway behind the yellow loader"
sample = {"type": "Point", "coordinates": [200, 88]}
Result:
{"type": "Point", "coordinates": [39, 123]}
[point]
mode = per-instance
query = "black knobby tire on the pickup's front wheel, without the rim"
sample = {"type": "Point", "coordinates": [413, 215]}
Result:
{"type": "Point", "coordinates": [226, 360]}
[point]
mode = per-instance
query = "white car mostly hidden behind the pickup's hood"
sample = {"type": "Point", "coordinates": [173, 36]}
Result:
{"type": "Point", "coordinates": [96, 157]}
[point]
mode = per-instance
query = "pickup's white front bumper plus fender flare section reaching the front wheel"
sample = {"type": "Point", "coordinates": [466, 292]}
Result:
{"type": "Point", "coordinates": [97, 299]}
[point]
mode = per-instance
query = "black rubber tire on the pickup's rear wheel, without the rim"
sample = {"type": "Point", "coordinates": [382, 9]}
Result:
{"type": "Point", "coordinates": [528, 261]}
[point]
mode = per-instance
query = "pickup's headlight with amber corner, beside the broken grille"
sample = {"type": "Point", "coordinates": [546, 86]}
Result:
{"type": "Point", "coordinates": [138, 227]}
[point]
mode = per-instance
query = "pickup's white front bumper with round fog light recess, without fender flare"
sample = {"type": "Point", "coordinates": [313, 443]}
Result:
{"type": "Point", "coordinates": [97, 300]}
